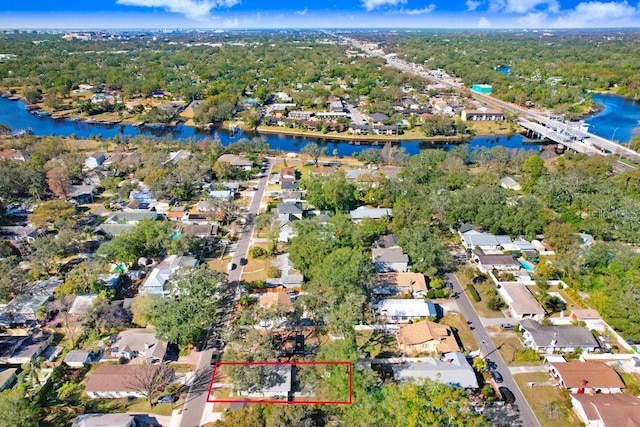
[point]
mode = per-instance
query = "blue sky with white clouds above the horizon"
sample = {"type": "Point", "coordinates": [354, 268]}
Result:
{"type": "Point", "coordinates": [313, 14]}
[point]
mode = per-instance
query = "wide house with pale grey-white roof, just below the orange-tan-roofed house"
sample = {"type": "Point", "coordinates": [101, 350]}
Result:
{"type": "Point", "coordinates": [453, 369]}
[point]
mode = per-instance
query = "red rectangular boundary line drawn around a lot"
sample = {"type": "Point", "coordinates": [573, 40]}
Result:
{"type": "Point", "coordinates": [349, 366]}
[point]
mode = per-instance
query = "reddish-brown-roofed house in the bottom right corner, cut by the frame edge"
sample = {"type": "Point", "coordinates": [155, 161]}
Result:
{"type": "Point", "coordinates": [607, 410]}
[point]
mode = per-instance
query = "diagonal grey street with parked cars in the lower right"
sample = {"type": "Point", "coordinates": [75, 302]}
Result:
{"type": "Point", "coordinates": [487, 349]}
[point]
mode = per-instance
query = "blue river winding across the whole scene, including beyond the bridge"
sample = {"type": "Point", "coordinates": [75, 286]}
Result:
{"type": "Point", "coordinates": [619, 116]}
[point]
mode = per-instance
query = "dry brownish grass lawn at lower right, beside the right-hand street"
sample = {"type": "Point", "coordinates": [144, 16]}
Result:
{"type": "Point", "coordinates": [540, 396]}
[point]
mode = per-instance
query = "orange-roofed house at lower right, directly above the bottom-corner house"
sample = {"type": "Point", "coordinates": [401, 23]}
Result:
{"type": "Point", "coordinates": [587, 377]}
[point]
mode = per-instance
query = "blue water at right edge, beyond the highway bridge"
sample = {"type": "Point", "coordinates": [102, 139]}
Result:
{"type": "Point", "coordinates": [620, 119]}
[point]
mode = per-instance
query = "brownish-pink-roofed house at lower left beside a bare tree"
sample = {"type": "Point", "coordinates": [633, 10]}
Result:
{"type": "Point", "coordinates": [116, 381]}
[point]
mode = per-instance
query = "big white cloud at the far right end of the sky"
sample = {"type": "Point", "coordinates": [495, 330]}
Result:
{"type": "Point", "coordinates": [596, 13]}
